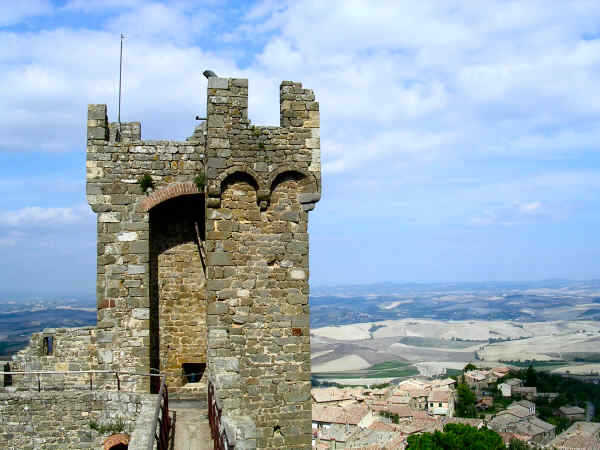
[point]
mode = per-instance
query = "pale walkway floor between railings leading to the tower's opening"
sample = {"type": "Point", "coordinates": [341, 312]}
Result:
{"type": "Point", "coordinates": [192, 431]}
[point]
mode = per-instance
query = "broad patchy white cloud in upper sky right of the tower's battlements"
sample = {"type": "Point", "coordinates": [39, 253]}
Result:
{"type": "Point", "coordinates": [493, 76]}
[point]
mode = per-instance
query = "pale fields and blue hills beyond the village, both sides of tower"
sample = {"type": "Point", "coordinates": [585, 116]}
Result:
{"type": "Point", "coordinates": [387, 331]}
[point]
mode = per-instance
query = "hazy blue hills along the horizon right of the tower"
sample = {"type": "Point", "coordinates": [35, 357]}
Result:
{"type": "Point", "coordinates": [528, 302]}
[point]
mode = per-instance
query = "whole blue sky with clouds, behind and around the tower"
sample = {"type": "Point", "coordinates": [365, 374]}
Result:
{"type": "Point", "coordinates": [459, 139]}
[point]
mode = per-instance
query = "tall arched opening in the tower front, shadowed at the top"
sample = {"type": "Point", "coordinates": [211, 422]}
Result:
{"type": "Point", "coordinates": [177, 291]}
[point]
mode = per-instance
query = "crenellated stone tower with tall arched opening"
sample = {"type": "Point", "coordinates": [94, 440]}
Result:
{"type": "Point", "coordinates": [213, 278]}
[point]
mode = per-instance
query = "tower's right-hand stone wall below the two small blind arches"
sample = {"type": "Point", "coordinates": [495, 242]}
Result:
{"type": "Point", "coordinates": [258, 313]}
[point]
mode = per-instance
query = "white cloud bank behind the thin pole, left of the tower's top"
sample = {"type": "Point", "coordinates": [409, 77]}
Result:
{"type": "Point", "coordinates": [52, 89]}
